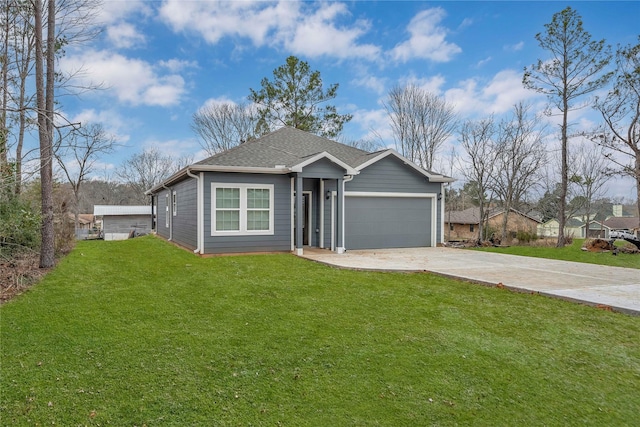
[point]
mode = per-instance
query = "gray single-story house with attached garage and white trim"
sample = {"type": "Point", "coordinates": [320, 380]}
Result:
{"type": "Point", "coordinates": [290, 189]}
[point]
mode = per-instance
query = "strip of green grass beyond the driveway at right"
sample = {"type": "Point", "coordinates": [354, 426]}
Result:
{"type": "Point", "coordinates": [572, 252]}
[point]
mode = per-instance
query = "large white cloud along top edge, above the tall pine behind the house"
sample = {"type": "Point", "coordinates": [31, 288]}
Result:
{"type": "Point", "coordinates": [301, 28]}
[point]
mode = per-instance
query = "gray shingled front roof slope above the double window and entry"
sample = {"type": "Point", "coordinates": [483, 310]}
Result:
{"type": "Point", "coordinates": [288, 147]}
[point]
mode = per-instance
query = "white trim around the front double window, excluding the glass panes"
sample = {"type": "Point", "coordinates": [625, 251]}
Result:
{"type": "Point", "coordinates": [243, 209]}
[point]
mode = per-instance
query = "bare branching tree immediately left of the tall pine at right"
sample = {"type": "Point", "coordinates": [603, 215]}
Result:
{"type": "Point", "coordinates": [520, 156]}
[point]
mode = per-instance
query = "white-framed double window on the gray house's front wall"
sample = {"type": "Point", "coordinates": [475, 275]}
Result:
{"type": "Point", "coordinates": [241, 209]}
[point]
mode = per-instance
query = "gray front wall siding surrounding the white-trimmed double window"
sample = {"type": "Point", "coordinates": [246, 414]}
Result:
{"type": "Point", "coordinates": [279, 241]}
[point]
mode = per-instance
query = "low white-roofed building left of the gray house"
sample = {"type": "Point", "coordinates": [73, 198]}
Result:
{"type": "Point", "coordinates": [119, 222]}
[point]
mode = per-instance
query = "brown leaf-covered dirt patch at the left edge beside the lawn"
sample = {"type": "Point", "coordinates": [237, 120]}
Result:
{"type": "Point", "coordinates": [18, 273]}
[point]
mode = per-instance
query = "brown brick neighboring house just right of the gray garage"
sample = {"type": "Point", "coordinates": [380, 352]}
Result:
{"type": "Point", "coordinates": [463, 225]}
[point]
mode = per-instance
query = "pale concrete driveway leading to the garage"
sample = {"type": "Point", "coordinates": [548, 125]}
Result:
{"type": "Point", "coordinates": [615, 287]}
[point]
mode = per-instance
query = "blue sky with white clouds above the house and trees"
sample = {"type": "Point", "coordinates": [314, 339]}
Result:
{"type": "Point", "coordinates": [160, 61]}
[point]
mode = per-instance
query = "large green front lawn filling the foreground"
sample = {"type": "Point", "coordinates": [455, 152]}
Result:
{"type": "Point", "coordinates": [142, 333]}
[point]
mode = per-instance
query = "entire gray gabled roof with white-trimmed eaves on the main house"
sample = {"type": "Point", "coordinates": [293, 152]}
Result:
{"type": "Point", "coordinates": [287, 150]}
